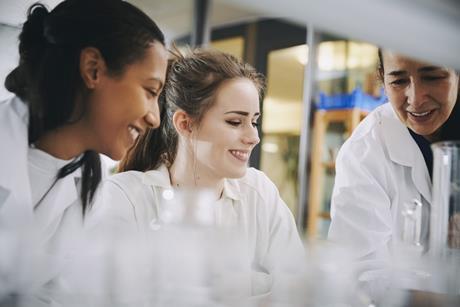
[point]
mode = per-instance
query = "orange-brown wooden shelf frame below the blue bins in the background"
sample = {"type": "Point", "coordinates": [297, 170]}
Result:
{"type": "Point", "coordinates": [350, 118]}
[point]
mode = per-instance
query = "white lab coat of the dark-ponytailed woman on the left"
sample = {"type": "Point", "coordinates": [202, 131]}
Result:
{"type": "Point", "coordinates": [61, 208]}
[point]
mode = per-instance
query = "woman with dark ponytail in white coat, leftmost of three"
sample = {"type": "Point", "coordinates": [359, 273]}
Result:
{"type": "Point", "coordinates": [88, 81]}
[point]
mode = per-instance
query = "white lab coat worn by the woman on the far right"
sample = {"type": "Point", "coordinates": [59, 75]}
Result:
{"type": "Point", "coordinates": [378, 169]}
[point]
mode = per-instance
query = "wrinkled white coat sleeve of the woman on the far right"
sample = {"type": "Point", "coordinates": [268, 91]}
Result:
{"type": "Point", "coordinates": [361, 205]}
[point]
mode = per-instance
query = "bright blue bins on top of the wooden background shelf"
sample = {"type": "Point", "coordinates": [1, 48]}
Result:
{"type": "Point", "coordinates": [357, 99]}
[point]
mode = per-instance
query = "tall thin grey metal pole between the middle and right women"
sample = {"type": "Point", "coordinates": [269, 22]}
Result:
{"type": "Point", "coordinates": [308, 91]}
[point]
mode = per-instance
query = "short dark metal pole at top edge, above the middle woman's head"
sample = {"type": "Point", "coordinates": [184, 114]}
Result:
{"type": "Point", "coordinates": [200, 28]}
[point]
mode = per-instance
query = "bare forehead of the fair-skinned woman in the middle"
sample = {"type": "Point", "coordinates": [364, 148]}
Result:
{"type": "Point", "coordinates": [237, 94]}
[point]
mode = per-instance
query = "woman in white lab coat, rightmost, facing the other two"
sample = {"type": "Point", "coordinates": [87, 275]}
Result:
{"type": "Point", "coordinates": [387, 163]}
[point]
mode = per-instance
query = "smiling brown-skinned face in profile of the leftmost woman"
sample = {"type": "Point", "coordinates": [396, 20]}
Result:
{"type": "Point", "coordinates": [122, 107]}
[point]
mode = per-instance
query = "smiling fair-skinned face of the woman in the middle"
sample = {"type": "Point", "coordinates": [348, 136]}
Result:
{"type": "Point", "coordinates": [228, 132]}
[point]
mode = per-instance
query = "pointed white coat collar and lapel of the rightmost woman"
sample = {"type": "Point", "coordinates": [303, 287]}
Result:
{"type": "Point", "coordinates": [403, 150]}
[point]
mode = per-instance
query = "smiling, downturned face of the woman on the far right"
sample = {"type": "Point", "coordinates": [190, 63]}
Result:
{"type": "Point", "coordinates": [422, 95]}
